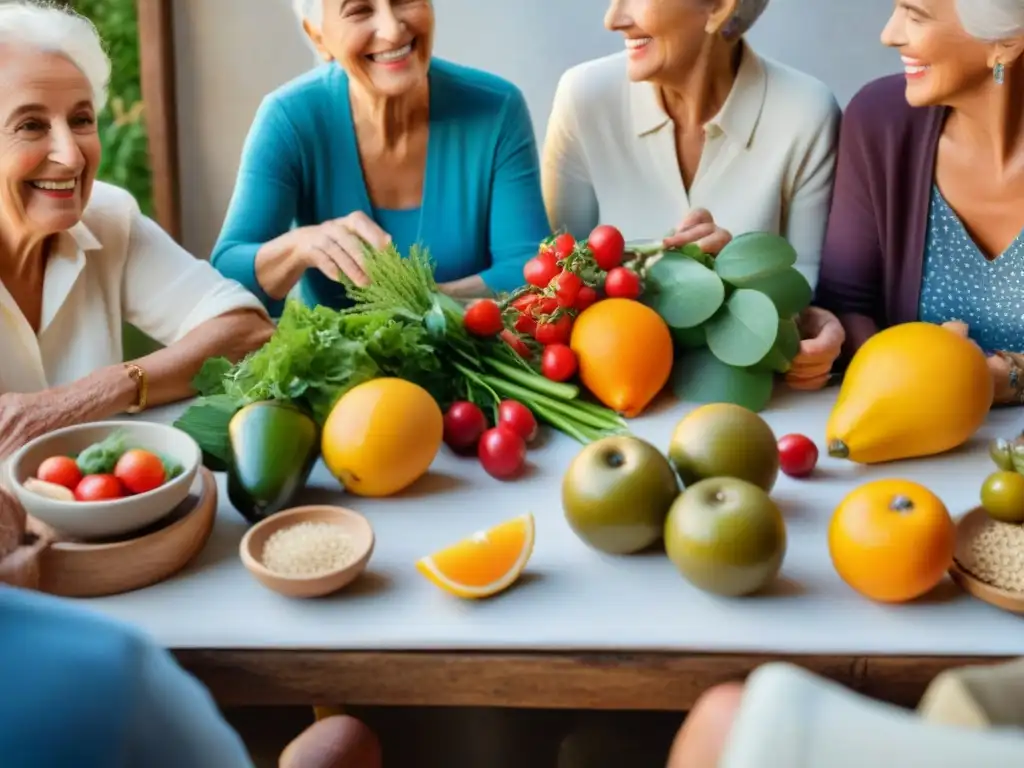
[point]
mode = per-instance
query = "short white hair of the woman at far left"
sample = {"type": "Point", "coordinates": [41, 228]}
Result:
{"type": "Point", "coordinates": [50, 28]}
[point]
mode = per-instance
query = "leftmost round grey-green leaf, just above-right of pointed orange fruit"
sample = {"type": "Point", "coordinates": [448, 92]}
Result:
{"type": "Point", "coordinates": [685, 293]}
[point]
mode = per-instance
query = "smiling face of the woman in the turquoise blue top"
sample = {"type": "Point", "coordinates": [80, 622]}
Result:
{"type": "Point", "coordinates": [383, 45]}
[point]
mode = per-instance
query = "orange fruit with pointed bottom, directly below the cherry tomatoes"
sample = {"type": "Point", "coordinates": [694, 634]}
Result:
{"type": "Point", "coordinates": [625, 354]}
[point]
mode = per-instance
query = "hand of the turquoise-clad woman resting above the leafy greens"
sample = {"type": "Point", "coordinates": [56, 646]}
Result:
{"type": "Point", "coordinates": [336, 246]}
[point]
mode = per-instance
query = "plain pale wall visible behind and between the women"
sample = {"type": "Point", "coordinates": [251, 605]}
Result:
{"type": "Point", "coordinates": [232, 53]}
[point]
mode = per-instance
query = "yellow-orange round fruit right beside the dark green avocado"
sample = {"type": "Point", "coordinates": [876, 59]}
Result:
{"type": "Point", "coordinates": [382, 437]}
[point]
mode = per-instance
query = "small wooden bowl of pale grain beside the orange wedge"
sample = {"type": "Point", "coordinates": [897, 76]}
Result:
{"type": "Point", "coordinates": [309, 551]}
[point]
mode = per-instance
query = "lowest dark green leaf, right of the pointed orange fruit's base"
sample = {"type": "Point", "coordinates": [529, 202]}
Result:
{"type": "Point", "coordinates": [701, 377]}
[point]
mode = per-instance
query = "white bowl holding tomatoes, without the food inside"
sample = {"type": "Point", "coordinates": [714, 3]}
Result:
{"type": "Point", "coordinates": [105, 520]}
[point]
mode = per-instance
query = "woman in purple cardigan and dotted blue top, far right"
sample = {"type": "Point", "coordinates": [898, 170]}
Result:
{"type": "Point", "coordinates": [928, 208]}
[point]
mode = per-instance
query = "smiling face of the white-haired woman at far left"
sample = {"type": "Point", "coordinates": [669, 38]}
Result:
{"type": "Point", "coordinates": [50, 149]}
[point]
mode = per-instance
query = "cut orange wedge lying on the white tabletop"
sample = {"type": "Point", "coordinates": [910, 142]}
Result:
{"type": "Point", "coordinates": [484, 565]}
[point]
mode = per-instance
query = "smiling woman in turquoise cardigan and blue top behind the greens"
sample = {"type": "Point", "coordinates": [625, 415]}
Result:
{"type": "Point", "coordinates": [383, 144]}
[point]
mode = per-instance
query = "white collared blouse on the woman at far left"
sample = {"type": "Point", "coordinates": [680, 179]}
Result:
{"type": "Point", "coordinates": [115, 266]}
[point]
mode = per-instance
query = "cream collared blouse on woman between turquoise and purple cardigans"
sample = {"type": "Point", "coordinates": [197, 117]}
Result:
{"type": "Point", "coordinates": [769, 161]}
